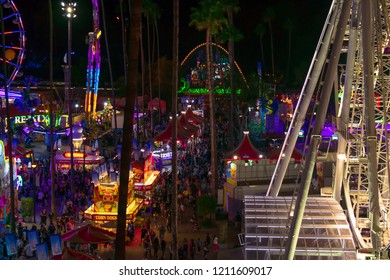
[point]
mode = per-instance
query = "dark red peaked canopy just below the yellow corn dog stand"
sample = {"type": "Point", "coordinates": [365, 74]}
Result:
{"type": "Point", "coordinates": [88, 234]}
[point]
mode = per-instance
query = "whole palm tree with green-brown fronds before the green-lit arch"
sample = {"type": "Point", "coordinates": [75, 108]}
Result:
{"type": "Point", "coordinates": [209, 17]}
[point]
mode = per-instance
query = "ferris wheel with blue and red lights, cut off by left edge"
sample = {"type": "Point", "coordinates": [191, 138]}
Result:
{"type": "Point", "coordinates": [15, 40]}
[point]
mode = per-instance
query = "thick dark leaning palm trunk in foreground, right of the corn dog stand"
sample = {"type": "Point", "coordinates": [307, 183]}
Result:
{"type": "Point", "coordinates": [133, 55]}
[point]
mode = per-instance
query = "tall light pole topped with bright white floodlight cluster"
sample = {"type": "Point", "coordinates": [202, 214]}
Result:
{"type": "Point", "coordinates": [69, 9]}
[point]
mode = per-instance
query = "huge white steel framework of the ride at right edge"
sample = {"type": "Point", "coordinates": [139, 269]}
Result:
{"type": "Point", "coordinates": [352, 58]}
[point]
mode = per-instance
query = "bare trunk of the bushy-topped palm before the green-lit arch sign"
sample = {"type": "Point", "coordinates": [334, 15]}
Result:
{"type": "Point", "coordinates": [213, 132]}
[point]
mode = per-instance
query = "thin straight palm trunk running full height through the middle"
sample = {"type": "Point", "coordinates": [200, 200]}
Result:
{"type": "Point", "coordinates": [175, 80]}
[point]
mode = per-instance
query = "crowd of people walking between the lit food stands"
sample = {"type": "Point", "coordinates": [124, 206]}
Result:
{"type": "Point", "coordinates": [74, 194]}
